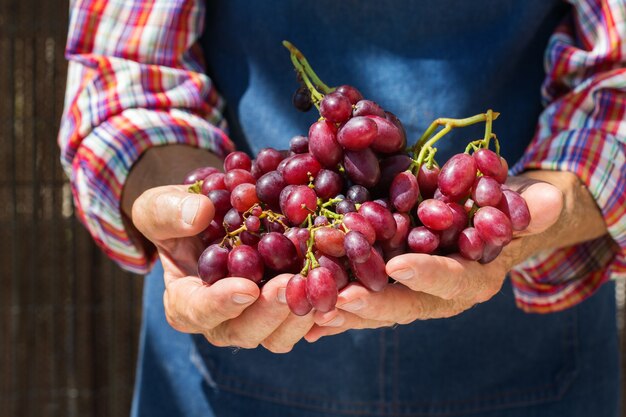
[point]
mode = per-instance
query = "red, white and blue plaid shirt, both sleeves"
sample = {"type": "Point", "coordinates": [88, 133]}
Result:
{"type": "Point", "coordinates": [136, 80]}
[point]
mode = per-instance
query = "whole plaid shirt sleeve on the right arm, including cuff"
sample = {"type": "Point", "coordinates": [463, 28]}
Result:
{"type": "Point", "coordinates": [582, 130]}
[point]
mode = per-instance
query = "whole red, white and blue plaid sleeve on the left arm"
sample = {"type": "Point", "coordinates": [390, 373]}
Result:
{"type": "Point", "coordinates": [135, 80]}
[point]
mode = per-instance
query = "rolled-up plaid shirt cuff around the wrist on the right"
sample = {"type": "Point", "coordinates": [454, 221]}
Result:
{"type": "Point", "coordinates": [557, 279]}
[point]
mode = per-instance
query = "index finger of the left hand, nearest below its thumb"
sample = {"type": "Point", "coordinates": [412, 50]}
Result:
{"type": "Point", "coordinates": [193, 307]}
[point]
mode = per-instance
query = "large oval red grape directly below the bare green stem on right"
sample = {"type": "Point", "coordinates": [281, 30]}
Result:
{"type": "Point", "coordinates": [457, 176]}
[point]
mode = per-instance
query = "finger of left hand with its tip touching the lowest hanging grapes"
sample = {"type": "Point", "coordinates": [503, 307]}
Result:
{"type": "Point", "coordinates": [258, 321]}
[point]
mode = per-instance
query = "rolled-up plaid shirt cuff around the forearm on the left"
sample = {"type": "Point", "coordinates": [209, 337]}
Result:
{"type": "Point", "coordinates": [103, 161]}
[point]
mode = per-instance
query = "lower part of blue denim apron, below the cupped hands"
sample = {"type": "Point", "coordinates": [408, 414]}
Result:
{"type": "Point", "coordinates": [493, 360]}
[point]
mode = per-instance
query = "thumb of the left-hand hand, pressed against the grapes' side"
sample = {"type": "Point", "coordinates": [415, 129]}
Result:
{"type": "Point", "coordinates": [171, 212]}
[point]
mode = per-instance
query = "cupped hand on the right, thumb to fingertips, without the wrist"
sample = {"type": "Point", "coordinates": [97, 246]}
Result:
{"type": "Point", "coordinates": [436, 286]}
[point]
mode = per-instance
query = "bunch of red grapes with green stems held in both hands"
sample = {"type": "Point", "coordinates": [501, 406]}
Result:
{"type": "Point", "coordinates": [349, 196]}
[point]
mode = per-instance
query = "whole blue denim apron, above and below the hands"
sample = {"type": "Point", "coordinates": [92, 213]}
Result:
{"type": "Point", "coordinates": [421, 60]}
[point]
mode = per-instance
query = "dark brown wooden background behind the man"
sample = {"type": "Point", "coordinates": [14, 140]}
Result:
{"type": "Point", "coordinates": [69, 318]}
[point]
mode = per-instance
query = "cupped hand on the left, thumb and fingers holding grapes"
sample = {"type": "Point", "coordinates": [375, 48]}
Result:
{"type": "Point", "coordinates": [232, 311]}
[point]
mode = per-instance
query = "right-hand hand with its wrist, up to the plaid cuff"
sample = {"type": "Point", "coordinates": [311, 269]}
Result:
{"type": "Point", "coordinates": [436, 287]}
